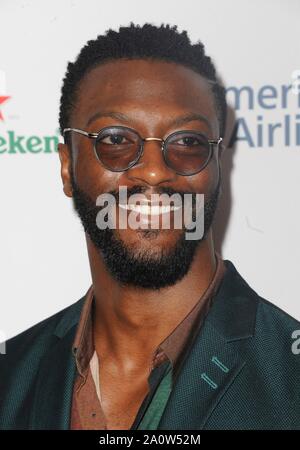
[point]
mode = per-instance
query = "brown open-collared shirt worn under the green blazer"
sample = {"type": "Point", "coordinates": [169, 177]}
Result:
{"type": "Point", "coordinates": [86, 410]}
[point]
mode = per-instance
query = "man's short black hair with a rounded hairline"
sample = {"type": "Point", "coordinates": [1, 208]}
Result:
{"type": "Point", "coordinates": [164, 43]}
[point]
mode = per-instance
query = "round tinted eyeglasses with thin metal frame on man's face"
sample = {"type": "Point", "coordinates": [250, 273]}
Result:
{"type": "Point", "coordinates": [118, 148]}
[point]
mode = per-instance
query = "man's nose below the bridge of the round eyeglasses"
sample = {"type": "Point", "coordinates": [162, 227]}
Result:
{"type": "Point", "coordinates": [151, 168]}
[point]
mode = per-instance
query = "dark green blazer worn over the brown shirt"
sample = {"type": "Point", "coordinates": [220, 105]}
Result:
{"type": "Point", "coordinates": [240, 373]}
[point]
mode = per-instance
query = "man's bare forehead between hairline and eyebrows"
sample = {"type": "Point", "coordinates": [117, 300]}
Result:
{"type": "Point", "coordinates": [147, 90]}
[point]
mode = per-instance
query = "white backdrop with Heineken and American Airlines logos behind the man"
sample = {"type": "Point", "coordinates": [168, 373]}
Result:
{"type": "Point", "coordinates": [255, 44]}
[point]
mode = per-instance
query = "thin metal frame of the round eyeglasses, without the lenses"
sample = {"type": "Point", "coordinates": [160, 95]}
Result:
{"type": "Point", "coordinates": [94, 136]}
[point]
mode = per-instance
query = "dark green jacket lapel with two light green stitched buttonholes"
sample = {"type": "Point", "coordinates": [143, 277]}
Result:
{"type": "Point", "coordinates": [217, 357]}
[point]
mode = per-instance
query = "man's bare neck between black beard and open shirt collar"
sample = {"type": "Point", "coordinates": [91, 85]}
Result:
{"type": "Point", "coordinates": [133, 321]}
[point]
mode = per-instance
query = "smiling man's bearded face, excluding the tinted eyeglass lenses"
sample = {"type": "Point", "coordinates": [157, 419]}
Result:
{"type": "Point", "coordinates": [151, 94]}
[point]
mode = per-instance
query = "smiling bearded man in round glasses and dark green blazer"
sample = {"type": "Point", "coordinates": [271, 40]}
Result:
{"type": "Point", "coordinates": [169, 336]}
